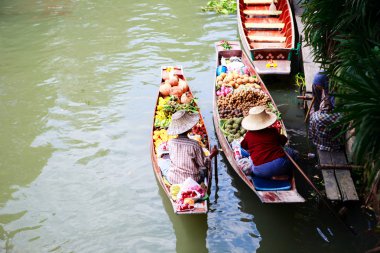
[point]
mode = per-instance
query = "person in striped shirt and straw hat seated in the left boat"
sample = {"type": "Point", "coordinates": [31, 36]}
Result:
{"type": "Point", "coordinates": [187, 158]}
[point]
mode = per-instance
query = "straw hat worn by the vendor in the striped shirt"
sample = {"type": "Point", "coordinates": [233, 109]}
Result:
{"type": "Point", "coordinates": [182, 121]}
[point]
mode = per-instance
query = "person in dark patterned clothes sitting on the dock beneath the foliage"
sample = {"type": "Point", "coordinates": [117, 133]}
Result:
{"type": "Point", "coordinates": [321, 131]}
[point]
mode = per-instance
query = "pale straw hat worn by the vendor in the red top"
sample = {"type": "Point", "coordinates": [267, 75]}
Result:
{"type": "Point", "coordinates": [258, 118]}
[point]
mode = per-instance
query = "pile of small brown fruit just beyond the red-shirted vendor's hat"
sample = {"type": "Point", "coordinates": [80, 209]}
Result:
{"type": "Point", "coordinates": [238, 104]}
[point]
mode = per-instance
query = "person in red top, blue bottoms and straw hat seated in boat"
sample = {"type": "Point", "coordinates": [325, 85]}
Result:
{"type": "Point", "coordinates": [265, 145]}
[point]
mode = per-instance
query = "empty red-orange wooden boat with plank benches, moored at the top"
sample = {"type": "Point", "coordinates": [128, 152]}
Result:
{"type": "Point", "coordinates": [267, 34]}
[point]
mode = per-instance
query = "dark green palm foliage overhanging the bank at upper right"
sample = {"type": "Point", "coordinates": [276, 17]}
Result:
{"type": "Point", "coordinates": [345, 37]}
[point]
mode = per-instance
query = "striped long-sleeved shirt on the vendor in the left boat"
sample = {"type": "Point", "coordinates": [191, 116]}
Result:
{"type": "Point", "coordinates": [186, 160]}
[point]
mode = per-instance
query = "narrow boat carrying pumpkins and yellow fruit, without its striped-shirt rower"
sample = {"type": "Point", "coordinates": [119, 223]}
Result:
{"type": "Point", "coordinates": [178, 97]}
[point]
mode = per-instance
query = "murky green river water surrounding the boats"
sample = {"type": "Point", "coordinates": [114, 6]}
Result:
{"type": "Point", "coordinates": [78, 84]}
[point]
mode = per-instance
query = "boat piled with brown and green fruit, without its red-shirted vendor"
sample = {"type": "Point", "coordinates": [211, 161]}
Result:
{"type": "Point", "coordinates": [237, 88]}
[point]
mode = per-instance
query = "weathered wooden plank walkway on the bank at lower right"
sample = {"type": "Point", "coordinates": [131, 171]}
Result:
{"type": "Point", "coordinates": [338, 182]}
